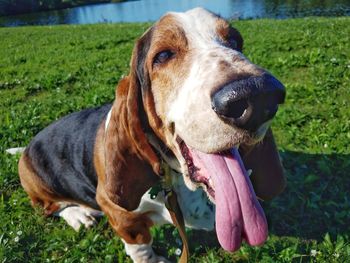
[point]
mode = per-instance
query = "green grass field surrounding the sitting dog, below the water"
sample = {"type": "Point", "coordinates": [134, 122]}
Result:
{"type": "Point", "coordinates": [47, 72]}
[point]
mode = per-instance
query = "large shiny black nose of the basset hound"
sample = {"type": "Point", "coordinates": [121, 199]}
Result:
{"type": "Point", "coordinates": [248, 103]}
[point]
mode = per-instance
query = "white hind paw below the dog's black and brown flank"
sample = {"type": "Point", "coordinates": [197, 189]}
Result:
{"type": "Point", "coordinates": [76, 216]}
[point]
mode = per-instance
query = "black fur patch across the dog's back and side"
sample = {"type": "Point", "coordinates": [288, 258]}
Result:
{"type": "Point", "coordinates": [62, 155]}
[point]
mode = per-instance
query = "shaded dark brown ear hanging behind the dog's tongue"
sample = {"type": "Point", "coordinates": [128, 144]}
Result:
{"type": "Point", "coordinates": [267, 172]}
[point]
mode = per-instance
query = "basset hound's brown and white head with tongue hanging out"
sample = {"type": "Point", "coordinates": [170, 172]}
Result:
{"type": "Point", "coordinates": [212, 107]}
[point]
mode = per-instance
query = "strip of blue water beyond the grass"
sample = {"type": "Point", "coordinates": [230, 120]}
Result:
{"type": "Point", "coordinates": [151, 10]}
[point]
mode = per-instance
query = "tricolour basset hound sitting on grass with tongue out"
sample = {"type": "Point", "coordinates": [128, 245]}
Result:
{"type": "Point", "coordinates": [191, 101]}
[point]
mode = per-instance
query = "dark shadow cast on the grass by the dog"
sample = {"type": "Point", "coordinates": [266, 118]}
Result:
{"type": "Point", "coordinates": [315, 202]}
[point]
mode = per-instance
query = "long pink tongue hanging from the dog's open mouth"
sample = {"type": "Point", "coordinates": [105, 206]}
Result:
{"type": "Point", "coordinates": [238, 213]}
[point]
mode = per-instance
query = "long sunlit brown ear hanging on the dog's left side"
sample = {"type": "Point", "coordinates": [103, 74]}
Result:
{"type": "Point", "coordinates": [131, 164]}
